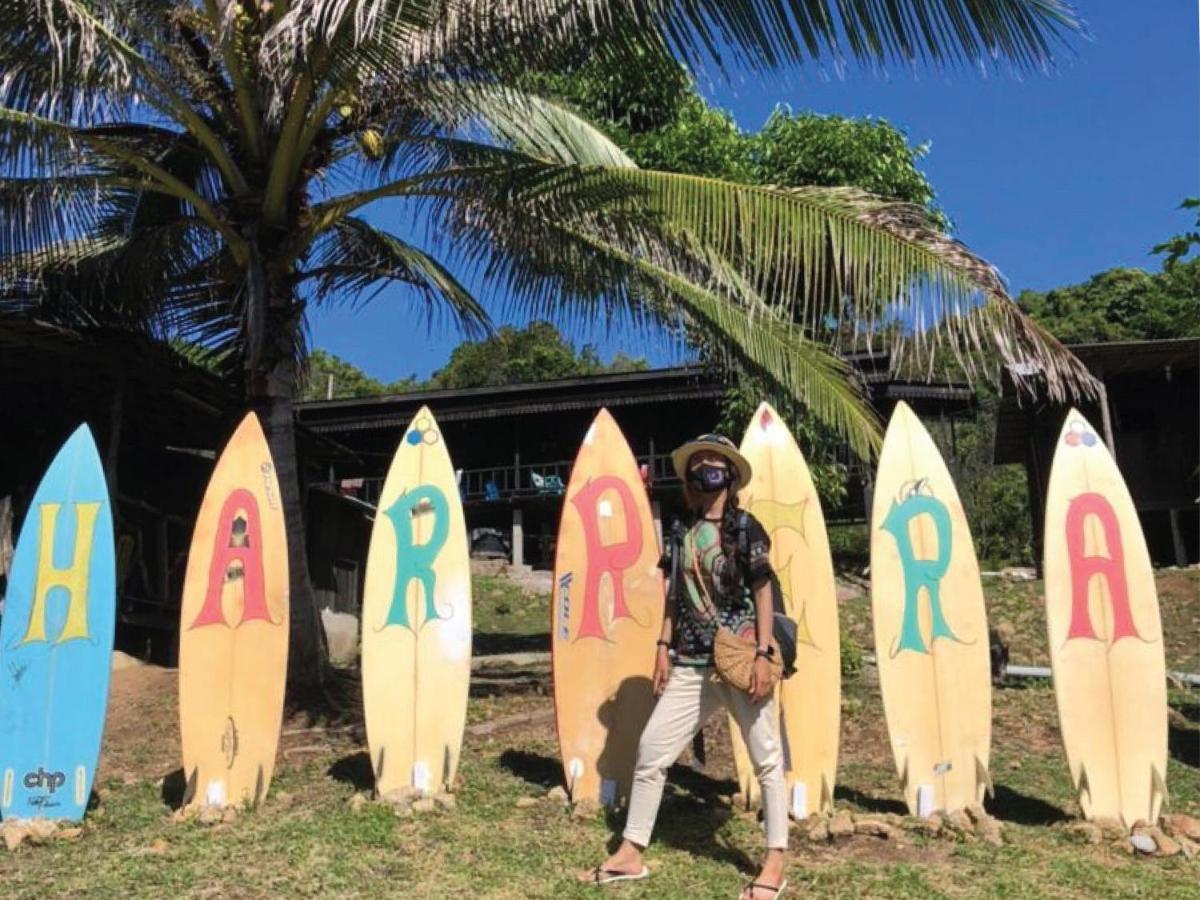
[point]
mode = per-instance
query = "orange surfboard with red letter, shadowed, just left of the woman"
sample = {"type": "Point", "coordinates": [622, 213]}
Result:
{"type": "Point", "coordinates": [607, 616]}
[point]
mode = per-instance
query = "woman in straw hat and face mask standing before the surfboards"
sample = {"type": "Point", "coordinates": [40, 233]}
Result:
{"type": "Point", "coordinates": [727, 583]}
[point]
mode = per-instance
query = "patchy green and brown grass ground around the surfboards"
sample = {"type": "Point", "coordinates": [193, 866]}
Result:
{"type": "Point", "coordinates": [309, 841]}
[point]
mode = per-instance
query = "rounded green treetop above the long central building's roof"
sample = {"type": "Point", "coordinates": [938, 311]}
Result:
{"type": "Point", "coordinates": [512, 356]}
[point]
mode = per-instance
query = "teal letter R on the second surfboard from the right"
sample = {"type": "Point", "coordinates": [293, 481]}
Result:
{"type": "Point", "coordinates": [921, 573]}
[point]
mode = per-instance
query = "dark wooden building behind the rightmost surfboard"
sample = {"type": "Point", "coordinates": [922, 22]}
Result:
{"type": "Point", "coordinates": [1149, 411]}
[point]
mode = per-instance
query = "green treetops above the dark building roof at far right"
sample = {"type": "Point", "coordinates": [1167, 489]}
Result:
{"type": "Point", "coordinates": [1123, 305]}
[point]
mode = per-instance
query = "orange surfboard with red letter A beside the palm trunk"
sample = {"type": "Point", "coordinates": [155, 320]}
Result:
{"type": "Point", "coordinates": [233, 637]}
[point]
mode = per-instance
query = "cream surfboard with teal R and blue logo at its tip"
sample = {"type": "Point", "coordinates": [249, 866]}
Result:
{"type": "Point", "coordinates": [417, 619]}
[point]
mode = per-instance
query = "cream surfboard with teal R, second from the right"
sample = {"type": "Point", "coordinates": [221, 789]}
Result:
{"type": "Point", "coordinates": [931, 626]}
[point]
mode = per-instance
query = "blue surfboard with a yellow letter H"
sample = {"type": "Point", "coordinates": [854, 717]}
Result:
{"type": "Point", "coordinates": [57, 640]}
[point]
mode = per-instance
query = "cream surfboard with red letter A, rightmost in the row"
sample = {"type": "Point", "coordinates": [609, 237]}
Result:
{"type": "Point", "coordinates": [1106, 634]}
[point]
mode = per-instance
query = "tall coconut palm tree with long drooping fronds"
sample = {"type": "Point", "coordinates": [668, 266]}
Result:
{"type": "Point", "coordinates": [199, 169]}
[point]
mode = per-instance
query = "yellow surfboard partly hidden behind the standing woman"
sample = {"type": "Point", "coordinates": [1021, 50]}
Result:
{"type": "Point", "coordinates": [782, 496]}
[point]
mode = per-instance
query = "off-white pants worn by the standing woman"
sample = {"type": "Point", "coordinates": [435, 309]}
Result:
{"type": "Point", "coordinates": [691, 698]}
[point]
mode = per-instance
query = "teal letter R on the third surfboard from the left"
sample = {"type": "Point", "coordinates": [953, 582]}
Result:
{"type": "Point", "coordinates": [415, 562]}
